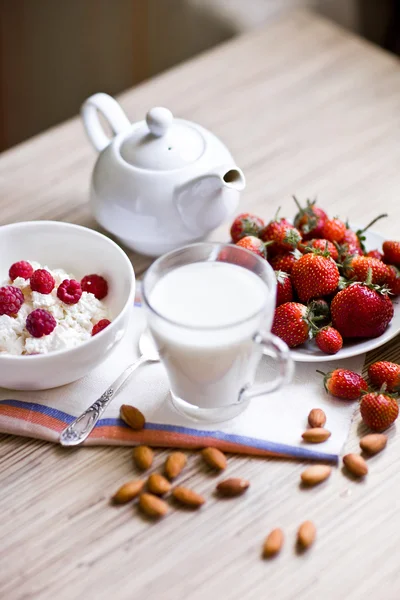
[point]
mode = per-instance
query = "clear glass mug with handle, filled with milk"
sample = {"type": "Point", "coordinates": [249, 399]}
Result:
{"type": "Point", "coordinates": [211, 359]}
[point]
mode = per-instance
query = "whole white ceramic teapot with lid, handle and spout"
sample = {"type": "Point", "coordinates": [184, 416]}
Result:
{"type": "Point", "coordinates": [160, 183]}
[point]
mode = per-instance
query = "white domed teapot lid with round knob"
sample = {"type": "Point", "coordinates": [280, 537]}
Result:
{"type": "Point", "coordinates": [162, 143]}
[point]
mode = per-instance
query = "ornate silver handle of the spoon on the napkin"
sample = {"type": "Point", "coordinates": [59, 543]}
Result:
{"type": "Point", "coordinates": [78, 430]}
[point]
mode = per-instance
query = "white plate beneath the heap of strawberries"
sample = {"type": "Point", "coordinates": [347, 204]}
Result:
{"type": "Point", "coordinates": [311, 353]}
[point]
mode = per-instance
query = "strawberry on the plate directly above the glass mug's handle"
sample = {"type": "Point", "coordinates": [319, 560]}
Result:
{"type": "Point", "coordinates": [291, 323]}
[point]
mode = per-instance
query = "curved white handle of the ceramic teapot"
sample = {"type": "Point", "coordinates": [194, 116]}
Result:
{"type": "Point", "coordinates": [112, 112]}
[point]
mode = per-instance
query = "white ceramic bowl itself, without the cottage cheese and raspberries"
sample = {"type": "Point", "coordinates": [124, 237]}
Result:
{"type": "Point", "coordinates": [80, 251]}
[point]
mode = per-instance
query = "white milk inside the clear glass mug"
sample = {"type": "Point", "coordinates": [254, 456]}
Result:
{"type": "Point", "coordinates": [213, 310]}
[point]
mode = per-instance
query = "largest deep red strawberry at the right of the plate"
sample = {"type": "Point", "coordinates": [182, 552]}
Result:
{"type": "Point", "coordinates": [361, 310]}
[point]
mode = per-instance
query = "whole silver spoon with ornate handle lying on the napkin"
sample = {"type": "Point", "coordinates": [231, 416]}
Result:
{"type": "Point", "coordinates": [78, 430]}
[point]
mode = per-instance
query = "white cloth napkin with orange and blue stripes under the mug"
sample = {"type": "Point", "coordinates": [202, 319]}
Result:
{"type": "Point", "coordinates": [271, 425]}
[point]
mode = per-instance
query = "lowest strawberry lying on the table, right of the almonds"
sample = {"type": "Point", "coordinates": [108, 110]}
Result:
{"type": "Point", "coordinates": [378, 410]}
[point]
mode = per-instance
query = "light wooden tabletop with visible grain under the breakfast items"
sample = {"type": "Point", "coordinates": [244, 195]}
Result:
{"type": "Point", "coordinates": [308, 109]}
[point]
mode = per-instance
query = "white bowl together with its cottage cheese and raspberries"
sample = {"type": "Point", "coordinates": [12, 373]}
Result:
{"type": "Point", "coordinates": [52, 330]}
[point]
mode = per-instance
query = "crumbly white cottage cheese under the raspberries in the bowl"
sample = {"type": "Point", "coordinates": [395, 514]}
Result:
{"type": "Point", "coordinates": [74, 322]}
